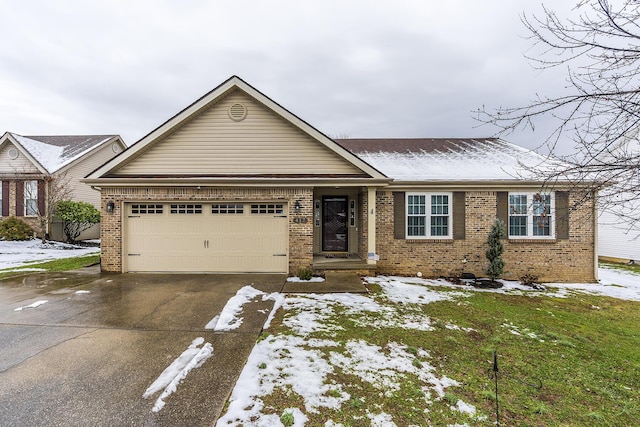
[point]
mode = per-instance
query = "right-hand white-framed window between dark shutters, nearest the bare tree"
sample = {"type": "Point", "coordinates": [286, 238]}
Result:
{"type": "Point", "coordinates": [530, 215]}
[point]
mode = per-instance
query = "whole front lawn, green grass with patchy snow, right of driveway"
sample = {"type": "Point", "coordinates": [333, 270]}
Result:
{"type": "Point", "coordinates": [417, 352]}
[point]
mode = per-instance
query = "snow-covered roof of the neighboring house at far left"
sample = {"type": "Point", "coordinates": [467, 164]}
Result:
{"type": "Point", "coordinates": [55, 152]}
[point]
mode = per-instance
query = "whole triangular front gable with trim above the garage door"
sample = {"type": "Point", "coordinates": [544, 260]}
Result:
{"type": "Point", "coordinates": [234, 132]}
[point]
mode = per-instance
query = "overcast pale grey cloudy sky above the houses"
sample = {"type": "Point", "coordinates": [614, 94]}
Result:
{"type": "Point", "coordinates": [350, 68]}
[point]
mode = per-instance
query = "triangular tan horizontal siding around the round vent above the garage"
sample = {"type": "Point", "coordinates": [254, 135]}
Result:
{"type": "Point", "coordinates": [263, 143]}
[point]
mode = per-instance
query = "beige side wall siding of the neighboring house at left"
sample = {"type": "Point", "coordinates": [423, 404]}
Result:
{"type": "Point", "coordinates": [74, 173]}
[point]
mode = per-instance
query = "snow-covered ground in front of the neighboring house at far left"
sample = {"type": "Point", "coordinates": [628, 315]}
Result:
{"type": "Point", "coordinates": [21, 253]}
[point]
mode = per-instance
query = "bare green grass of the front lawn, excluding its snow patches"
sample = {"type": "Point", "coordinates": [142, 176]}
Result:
{"type": "Point", "coordinates": [583, 350]}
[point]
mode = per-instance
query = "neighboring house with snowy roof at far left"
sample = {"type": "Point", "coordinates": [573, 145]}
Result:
{"type": "Point", "coordinates": [30, 165]}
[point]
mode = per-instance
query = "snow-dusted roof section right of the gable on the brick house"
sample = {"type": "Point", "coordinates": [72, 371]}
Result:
{"type": "Point", "coordinates": [447, 159]}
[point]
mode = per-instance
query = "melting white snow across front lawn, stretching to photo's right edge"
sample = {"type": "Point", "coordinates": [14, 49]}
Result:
{"type": "Point", "coordinates": [305, 365]}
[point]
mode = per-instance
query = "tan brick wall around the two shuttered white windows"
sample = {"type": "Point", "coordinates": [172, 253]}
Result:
{"type": "Point", "coordinates": [550, 260]}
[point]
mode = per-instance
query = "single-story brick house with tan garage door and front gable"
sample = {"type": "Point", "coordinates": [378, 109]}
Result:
{"type": "Point", "coordinates": [237, 183]}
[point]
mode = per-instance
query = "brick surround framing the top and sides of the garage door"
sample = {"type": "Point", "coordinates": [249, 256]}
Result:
{"type": "Point", "coordinates": [300, 224]}
